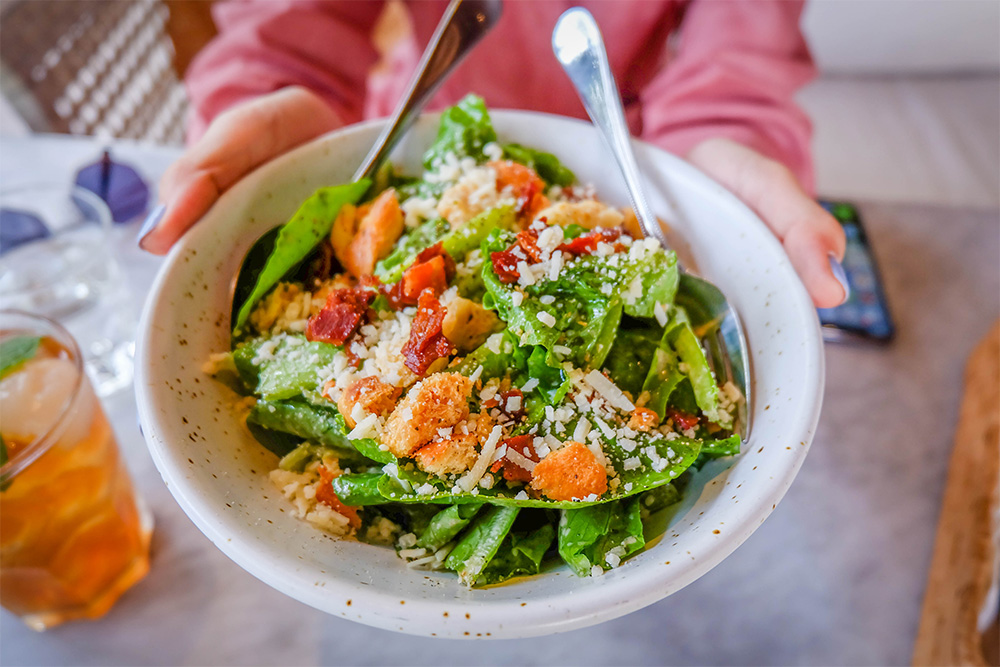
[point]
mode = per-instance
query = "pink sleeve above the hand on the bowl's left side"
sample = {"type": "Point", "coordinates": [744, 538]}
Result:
{"type": "Point", "coordinates": [265, 45]}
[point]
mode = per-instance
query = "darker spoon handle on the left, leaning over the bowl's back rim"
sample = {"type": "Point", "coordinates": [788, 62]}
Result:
{"type": "Point", "coordinates": [464, 23]}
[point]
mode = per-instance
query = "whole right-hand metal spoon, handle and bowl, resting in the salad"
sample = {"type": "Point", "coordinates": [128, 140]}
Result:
{"type": "Point", "coordinates": [579, 48]}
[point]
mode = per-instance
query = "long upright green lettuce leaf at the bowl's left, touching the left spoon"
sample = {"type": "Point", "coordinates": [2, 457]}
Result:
{"type": "Point", "coordinates": [297, 238]}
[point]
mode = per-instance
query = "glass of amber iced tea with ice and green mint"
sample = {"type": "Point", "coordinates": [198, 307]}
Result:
{"type": "Point", "coordinates": [74, 535]}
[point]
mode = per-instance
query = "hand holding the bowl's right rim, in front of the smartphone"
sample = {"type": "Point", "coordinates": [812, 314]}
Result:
{"type": "Point", "coordinates": [813, 240]}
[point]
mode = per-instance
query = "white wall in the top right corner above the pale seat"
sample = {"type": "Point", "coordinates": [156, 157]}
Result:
{"type": "Point", "coordinates": [904, 36]}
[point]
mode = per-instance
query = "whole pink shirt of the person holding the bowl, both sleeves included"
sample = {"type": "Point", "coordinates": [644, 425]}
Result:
{"type": "Point", "coordinates": [732, 74]}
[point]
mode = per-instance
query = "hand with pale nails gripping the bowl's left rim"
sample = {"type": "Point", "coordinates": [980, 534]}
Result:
{"type": "Point", "coordinates": [237, 142]}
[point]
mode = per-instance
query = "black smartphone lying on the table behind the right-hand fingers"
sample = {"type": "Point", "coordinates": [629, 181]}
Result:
{"type": "Point", "coordinates": [865, 315]}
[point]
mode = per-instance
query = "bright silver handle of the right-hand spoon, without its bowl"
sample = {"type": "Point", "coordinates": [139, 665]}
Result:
{"type": "Point", "coordinates": [579, 48]}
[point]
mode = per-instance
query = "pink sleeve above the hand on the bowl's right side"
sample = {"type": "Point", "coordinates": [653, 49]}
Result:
{"type": "Point", "coordinates": [735, 74]}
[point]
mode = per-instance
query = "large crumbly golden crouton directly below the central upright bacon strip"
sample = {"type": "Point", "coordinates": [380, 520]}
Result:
{"type": "Point", "coordinates": [439, 401]}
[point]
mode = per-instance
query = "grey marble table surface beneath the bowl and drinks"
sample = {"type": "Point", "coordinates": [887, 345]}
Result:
{"type": "Point", "coordinates": [835, 576]}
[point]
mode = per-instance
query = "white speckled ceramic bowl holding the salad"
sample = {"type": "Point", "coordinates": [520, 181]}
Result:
{"type": "Point", "coordinates": [218, 472]}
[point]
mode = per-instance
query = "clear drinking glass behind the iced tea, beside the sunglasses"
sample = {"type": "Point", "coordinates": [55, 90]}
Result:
{"type": "Point", "coordinates": [70, 274]}
